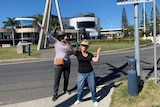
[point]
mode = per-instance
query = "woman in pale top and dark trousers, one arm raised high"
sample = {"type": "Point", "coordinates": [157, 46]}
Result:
{"type": "Point", "coordinates": [63, 50]}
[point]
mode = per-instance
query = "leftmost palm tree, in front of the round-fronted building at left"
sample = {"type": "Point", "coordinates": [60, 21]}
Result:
{"type": "Point", "coordinates": [11, 23]}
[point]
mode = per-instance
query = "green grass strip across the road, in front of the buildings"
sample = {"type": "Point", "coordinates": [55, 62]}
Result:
{"type": "Point", "coordinates": [11, 52]}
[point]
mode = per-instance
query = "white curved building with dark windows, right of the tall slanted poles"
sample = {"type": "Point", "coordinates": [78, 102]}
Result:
{"type": "Point", "coordinates": [87, 21]}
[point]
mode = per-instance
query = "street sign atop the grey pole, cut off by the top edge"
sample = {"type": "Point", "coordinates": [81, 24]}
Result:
{"type": "Point", "coordinates": [122, 2]}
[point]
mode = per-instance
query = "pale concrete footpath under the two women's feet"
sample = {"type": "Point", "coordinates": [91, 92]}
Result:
{"type": "Point", "coordinates": [67, 100]}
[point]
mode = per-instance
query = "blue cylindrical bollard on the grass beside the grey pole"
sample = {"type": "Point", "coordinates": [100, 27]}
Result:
{"type": "Point", "coordinates": [132, 77]}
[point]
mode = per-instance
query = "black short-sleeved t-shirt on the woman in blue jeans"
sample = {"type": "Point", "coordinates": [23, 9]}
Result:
{"type": "Point", "coordinates": [84, 62]}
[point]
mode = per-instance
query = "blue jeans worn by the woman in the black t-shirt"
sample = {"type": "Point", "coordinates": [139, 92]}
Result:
{"type": "Point", "coordinates": [90, 77]}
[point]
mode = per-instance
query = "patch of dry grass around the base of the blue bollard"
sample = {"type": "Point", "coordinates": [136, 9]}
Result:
{"type": "Point", "coordinates": [147, 97]}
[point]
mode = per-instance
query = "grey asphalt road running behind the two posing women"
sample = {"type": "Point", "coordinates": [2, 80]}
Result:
{"type": "Point", "coordinates": [29, 80]}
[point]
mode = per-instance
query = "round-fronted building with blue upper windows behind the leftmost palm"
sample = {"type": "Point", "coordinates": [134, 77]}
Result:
{"type": "Point", "coordinates": [24, 31]}
